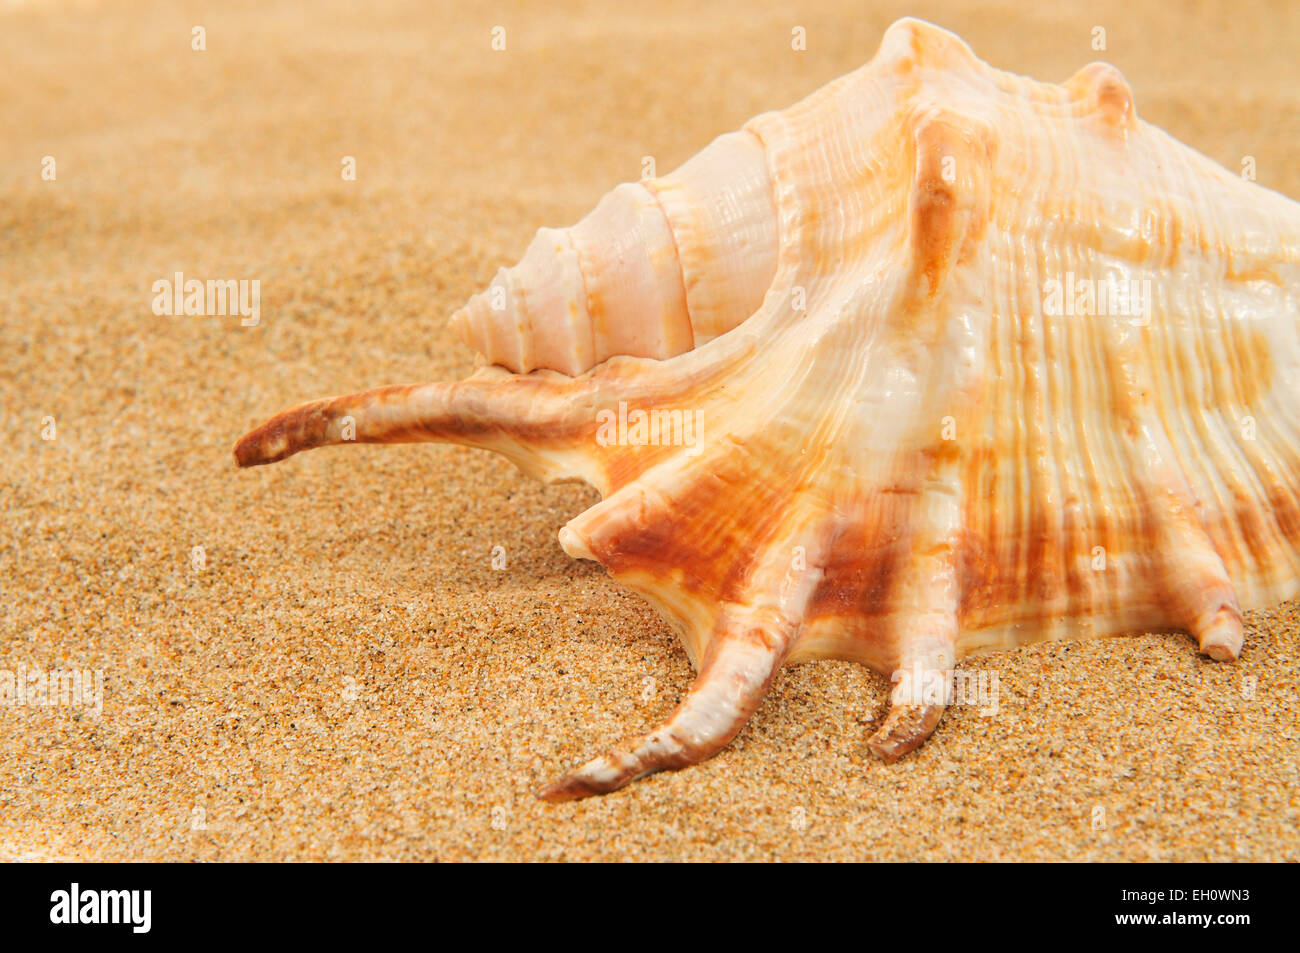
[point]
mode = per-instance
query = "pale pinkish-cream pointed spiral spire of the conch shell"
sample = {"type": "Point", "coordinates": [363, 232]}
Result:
{"type": "Point", "coordinates": [657, 268]}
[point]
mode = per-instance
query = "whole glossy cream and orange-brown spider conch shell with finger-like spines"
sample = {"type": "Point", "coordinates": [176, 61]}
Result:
{"type": "Point", "coordinates": [937, 362]}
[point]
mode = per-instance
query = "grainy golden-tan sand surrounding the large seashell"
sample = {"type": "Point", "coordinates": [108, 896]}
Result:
{"type": "Point", "coordinates": [348, 677]}
